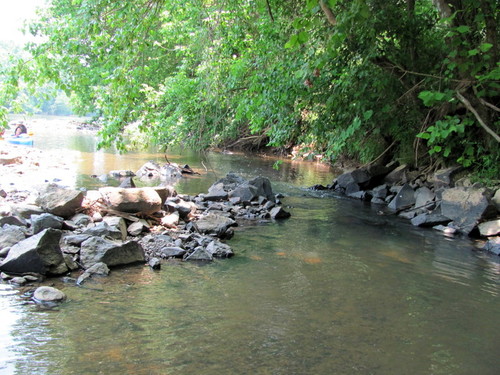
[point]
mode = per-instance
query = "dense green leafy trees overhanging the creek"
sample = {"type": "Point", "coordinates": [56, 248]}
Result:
{"type": "Point", "coordinates": [416, 80]}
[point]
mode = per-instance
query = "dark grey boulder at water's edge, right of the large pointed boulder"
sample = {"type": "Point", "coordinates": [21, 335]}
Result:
{"type": "Point", "coordinates": [111, 253]}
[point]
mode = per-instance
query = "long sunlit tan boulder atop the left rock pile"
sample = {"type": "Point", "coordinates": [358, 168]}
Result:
{"type": "Point", "coordinates": [133, 200]}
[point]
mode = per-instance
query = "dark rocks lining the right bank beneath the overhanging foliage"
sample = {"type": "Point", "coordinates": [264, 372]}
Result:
{"type": "Point", "coordinates": [438, 201]}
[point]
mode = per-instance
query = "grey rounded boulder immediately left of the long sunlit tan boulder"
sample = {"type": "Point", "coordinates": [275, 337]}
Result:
{"type": "Point", "coordinates": [59, 201]}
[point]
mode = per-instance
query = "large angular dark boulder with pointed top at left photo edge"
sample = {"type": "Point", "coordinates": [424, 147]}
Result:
{"type": "Point", "coordinates": [40, 253]}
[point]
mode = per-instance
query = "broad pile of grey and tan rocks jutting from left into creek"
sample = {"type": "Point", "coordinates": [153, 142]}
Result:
{"type": "Point", "coordinates": [68, 230]}
